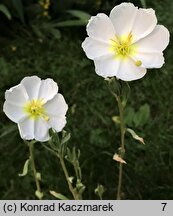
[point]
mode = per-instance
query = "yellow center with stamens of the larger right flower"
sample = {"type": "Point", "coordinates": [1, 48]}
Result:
{"type": "Point", "coordinates": [123, 47]}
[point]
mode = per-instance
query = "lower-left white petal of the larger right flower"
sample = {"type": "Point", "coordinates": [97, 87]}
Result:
{"type": "Point", "coordinates": [107, 66]}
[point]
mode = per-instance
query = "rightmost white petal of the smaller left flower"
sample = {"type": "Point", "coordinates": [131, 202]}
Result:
{"type": "Point", "coordinates": [57, 106]}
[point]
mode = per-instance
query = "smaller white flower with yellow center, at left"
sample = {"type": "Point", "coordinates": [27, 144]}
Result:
{"type": "Point", "coordinates": [36, 106]}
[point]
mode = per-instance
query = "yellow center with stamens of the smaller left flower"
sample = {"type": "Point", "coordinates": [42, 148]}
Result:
{"type": "Point", "coordinates": [35, 109]}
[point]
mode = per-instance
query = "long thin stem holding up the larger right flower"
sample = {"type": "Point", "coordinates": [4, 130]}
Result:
{"type": "Point", "coordinates": [122, 149]}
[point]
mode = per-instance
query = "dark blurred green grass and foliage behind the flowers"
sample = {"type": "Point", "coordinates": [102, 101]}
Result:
{"type": "Point", "coordinates": [24, 51]}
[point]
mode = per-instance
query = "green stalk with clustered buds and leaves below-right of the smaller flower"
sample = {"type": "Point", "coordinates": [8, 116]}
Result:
{"type": "Point", "coordinates": [58, 146]}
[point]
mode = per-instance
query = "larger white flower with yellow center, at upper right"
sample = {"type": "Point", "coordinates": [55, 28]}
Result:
{"type": "Point", "coordinates": [125, 43]}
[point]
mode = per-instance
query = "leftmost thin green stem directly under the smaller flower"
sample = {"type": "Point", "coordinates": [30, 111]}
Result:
{"type": "Point", "coordinates": [31, 151]}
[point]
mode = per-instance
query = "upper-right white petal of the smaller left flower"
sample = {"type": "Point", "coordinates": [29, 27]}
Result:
{"type": "Point", "coordinates": [48, 89]}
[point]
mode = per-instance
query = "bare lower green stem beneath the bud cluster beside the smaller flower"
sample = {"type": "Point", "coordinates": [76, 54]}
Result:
{"type": "Point", "coordinates": [72, 190]}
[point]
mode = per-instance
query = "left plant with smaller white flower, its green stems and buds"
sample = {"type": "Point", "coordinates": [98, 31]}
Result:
{"type": "Point", "coordinates": [40, 112]}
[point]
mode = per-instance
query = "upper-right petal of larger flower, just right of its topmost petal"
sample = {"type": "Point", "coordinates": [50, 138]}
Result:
{"type": "Point", "coordinates": [144, 23]}
